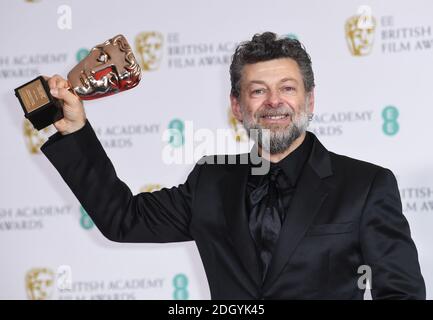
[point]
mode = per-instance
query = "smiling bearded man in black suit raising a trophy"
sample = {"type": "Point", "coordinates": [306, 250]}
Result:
{"type": "Point", "coordinates": [300, 231]}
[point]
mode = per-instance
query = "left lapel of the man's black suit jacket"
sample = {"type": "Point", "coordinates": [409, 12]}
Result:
{"type": "Point", "coordinates": [233, 185]}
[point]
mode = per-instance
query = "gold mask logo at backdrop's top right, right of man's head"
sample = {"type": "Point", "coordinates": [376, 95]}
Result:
{"type": "Point", "coordinates": [359, 31]}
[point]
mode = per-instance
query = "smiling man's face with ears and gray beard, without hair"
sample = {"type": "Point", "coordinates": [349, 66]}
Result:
{"type": "Point", "coordinates": [273, 97]}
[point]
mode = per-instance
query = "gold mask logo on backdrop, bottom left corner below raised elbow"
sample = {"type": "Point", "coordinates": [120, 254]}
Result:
{"type": "Point", "coordinates": [39, 283]}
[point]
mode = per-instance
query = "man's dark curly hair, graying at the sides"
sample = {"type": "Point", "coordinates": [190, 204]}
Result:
{"type": "Point", "coordinates": [267, 46]}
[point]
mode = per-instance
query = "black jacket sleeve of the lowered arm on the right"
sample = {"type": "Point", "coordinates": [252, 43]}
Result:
{"type": "Point", "coordinates": [387, 245]}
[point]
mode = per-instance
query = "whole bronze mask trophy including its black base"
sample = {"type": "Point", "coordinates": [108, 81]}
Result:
{"type": "Point", "coordinates": [108, 69]}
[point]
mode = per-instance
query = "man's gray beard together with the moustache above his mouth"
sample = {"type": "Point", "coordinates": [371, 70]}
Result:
{"type": "Point", "coordinates": [274, 139]}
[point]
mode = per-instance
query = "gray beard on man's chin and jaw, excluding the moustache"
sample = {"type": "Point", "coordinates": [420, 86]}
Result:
{"type": "Point", "coordinates": [276, 141]}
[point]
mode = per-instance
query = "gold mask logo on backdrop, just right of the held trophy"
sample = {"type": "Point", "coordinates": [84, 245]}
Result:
{"type": "Point", "coordinates": [148, 46]}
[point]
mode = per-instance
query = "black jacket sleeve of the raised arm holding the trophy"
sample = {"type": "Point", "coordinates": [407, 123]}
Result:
{"type": "Point", "coordinates": [160, 216]}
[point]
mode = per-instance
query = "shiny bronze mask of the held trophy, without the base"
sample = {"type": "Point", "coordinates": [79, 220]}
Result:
{"type": "Point", "coordinates": [108, 69]}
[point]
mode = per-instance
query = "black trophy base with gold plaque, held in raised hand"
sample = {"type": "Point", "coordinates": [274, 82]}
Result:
{"type": "Point", "coordinates": [39, 106]}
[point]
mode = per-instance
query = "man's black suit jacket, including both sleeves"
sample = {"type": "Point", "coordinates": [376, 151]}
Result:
{"type": "Point", "coordinates": [345, 213]}
